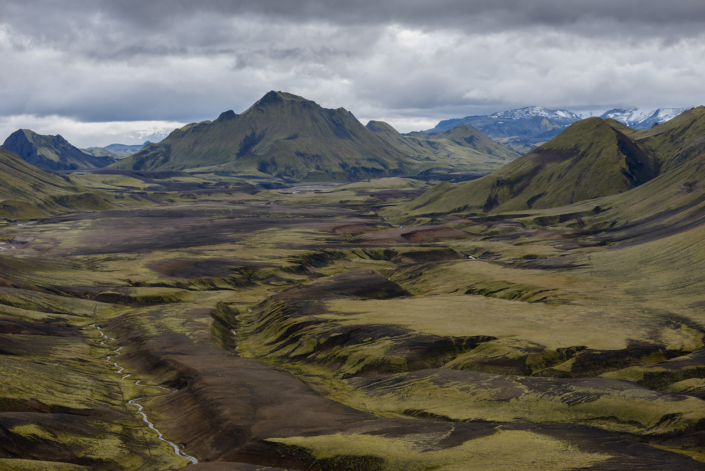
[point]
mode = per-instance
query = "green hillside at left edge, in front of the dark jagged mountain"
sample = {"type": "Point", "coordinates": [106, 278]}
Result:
{"type": "Point", "coordinates": [28, 192]}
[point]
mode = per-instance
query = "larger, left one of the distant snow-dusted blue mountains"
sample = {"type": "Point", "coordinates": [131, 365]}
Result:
{"type": "Point", "coordinates": [521, 129]}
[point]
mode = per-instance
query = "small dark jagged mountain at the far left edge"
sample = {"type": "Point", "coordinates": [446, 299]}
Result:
{"type": "Point", "coordinates": [51, 152]}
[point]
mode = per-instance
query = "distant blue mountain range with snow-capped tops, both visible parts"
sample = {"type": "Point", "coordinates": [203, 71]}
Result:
{"type": "Point", "coordinates": [525, 129]}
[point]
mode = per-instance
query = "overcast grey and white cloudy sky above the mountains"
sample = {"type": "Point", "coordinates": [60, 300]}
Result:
{"type": "Point", "coordinates": [99, 72]}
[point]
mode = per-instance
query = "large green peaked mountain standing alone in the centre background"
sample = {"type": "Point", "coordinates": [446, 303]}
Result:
{"type": "Point", "coordinates": [289, 137]}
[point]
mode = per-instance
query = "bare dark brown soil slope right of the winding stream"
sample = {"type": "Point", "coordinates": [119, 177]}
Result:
{"type": "Point", "coordinates": [231, 405]}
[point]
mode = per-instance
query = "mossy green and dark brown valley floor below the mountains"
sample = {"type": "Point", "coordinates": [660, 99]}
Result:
{"type": "Point", "coordinates": [319, 326]}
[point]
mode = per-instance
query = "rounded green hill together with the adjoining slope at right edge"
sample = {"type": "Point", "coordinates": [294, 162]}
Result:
{"type": "Point", "coordinates": [652, 175]}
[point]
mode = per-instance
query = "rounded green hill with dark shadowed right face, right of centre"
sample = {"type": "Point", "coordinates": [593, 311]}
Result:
{"type": "Point", "coordinates": [590, 159]}
